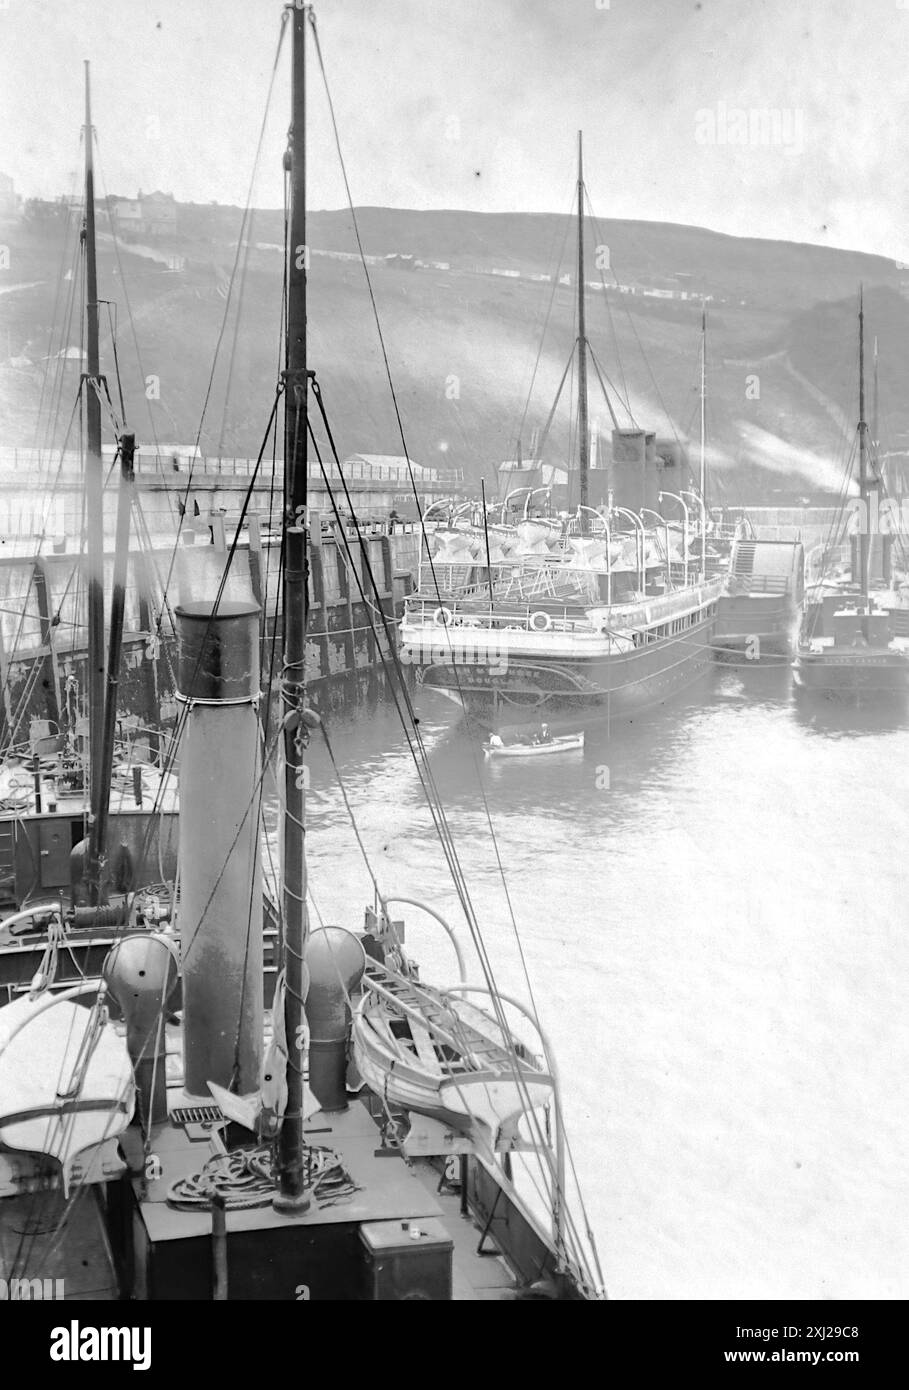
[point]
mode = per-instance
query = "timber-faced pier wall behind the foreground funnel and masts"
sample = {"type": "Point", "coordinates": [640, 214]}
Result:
{"type": "Point", "coordinates": [44, 633]}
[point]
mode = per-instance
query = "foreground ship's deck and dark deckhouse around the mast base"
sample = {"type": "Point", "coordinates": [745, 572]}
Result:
{"type": "Point", "coordinates": [408, 1232]}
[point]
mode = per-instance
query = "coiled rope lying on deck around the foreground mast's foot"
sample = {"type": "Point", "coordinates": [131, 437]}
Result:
{"type": "Point", "coordinates": [245, 1179]}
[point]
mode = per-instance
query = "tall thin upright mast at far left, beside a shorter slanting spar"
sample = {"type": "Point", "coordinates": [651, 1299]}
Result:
{"type": "Point", "coordinates": [94, 509]}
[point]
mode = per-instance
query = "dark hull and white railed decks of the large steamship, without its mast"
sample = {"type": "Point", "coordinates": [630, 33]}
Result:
{"type": "Point", "coordinates": [568, 625]}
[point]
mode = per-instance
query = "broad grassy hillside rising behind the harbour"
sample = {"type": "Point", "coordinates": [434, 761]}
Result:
{"type": "Point", "coordinates": [462, 343]}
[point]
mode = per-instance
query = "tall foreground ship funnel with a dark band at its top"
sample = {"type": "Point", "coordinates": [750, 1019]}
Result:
{"type": "Point", "coordinates": [220, 874]}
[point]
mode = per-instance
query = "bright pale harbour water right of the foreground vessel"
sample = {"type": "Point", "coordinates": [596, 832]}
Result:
{"type": "Point", "coordinates": [711, 908]}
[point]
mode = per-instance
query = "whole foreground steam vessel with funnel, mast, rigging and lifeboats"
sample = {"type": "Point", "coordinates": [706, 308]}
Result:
{"type": "Point", "coordinates": [169, 1054]}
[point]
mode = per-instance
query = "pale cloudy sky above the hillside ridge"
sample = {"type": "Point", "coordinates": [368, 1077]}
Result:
{"type": "Point", "coordinates": [775, 119]}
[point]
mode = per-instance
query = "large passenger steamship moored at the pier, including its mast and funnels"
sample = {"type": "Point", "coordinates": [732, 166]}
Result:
{"type": "Point", "coordinates": [600, 614]}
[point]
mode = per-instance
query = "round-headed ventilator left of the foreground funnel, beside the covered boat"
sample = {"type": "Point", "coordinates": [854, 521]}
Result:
{"type": "Point", "coordinates": [141, 974]}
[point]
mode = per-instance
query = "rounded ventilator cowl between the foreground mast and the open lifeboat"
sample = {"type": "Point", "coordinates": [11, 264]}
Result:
{"type": "Point", "coordinates": [336, 960]}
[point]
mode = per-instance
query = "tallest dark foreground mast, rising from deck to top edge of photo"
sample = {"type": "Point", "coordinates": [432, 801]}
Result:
{"type": "Point", "coordinates": [295, 598]}
